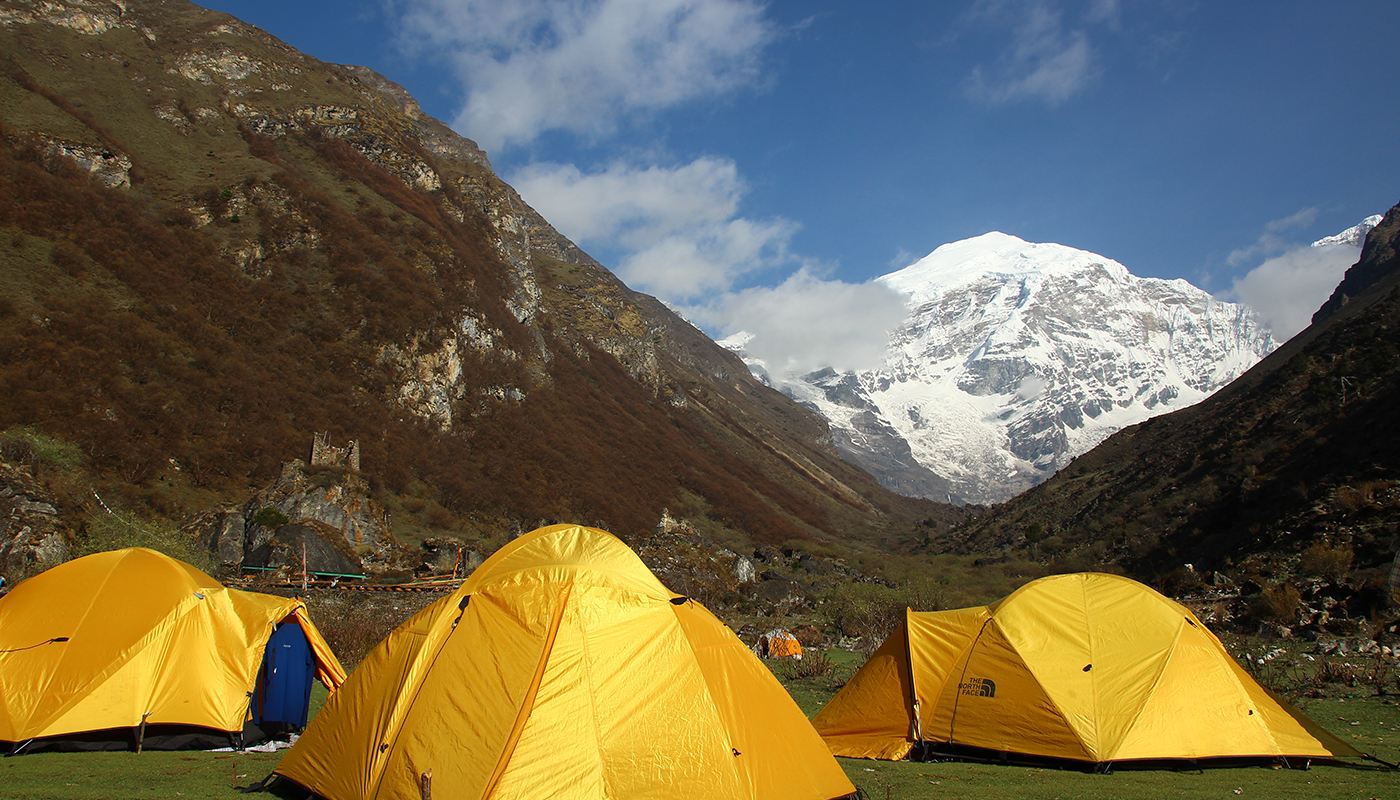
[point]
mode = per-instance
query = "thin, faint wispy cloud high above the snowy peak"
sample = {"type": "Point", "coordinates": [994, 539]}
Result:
{"type": "Point", "coordinates": [1046, 61]}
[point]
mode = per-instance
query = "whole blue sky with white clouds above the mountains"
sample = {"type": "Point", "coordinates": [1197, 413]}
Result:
{"type": "Point", "coordinates": [758, 165]}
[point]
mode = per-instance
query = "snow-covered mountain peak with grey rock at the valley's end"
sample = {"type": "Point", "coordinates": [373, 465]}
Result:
{"type": "Point", "coordinates": [1016, 358]}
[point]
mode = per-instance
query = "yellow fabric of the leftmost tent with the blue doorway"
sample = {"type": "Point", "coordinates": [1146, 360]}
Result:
{"type": "Point", "coordinates": [120, 638]}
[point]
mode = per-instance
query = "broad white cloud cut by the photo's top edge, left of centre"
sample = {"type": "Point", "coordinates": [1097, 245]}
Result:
{"type": "Point", "coordinates": [583, 65]}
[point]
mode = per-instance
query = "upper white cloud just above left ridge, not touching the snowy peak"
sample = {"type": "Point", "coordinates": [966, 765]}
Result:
{"type": "Point", "coordinates": [680, 228]}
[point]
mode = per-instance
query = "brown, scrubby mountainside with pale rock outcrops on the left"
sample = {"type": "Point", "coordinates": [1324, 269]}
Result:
{"type": "Point", "coordinates": [232, 246]}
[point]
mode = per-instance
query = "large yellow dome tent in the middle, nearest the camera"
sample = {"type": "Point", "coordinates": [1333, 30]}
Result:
{"type": "Point", "coordinates": [563, 669]}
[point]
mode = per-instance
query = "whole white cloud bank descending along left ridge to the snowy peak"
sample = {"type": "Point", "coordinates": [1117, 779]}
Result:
{"type": "Point", "coordinates": [684, 239]}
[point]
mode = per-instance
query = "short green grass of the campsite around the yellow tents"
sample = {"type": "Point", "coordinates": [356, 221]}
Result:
{"type": "Point", "coordinates": [1353, 712]}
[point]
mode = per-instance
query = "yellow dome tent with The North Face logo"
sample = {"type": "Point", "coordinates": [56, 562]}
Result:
{"type": "Point", "coordinates": [1088, 668]}
